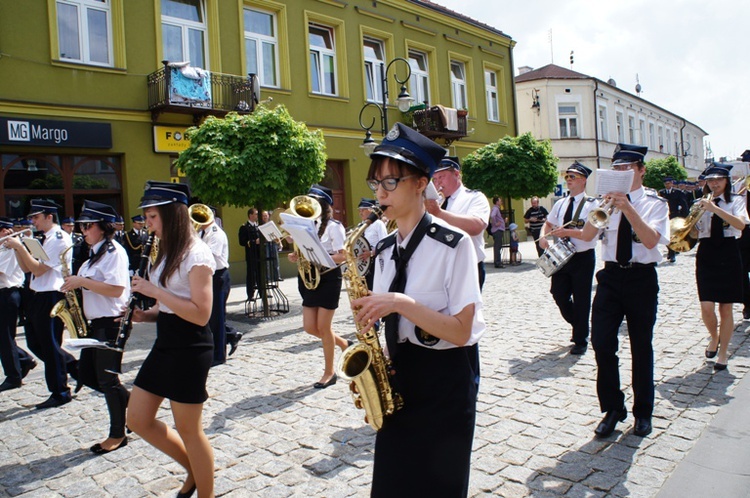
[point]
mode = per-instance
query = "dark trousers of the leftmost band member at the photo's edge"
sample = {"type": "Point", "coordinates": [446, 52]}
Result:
{"type": "Point", "coordinates": [11, 355]}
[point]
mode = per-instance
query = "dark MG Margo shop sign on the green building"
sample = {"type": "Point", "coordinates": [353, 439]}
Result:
{"type": "Point", "coordinates": [48, 133]}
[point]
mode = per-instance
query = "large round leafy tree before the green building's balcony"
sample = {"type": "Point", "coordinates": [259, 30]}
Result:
{"type": "Point", "coordinates": [261, 159]}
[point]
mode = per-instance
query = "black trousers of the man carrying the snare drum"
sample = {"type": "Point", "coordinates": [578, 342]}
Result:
{"type": "Point", "coordinates": [571, 289]}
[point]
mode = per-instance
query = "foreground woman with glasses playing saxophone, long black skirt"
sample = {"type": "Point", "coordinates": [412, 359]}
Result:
{"type": "Point", "coordinates": [427, 292]}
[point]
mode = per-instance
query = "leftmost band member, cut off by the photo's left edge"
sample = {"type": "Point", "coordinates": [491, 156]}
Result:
{"type": "Point", "coordinates": [16, 361]}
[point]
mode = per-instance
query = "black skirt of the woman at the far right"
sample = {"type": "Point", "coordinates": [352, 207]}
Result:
{"type": "Point", "coordinates": [718, 270]}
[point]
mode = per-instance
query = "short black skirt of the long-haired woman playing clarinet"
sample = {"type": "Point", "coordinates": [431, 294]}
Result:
{"type": "Point", "coordinates": [177, 366]}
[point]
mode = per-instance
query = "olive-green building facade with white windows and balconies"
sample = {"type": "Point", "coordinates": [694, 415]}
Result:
{"type": "Point", "coordinates": [84, 112]}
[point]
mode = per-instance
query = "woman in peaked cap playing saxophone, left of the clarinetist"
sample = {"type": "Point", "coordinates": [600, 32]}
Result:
{"type": "Point", "coordinates": [105, 281]}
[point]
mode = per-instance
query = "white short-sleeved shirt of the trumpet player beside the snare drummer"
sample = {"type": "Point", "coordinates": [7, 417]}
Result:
{"type": "Point", "coordinates": [655, 212]}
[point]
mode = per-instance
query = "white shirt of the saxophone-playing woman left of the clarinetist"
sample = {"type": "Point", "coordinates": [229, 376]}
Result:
{"type": "Point", "coordinates": [112, 268]}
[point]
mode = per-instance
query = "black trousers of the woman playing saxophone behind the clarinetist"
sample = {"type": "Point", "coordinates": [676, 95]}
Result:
{"type": "Point", "coordinates": [93, 372]}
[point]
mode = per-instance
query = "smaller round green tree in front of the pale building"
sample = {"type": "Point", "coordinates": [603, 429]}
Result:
{"type": "Point", "coordinates": [513, 167]}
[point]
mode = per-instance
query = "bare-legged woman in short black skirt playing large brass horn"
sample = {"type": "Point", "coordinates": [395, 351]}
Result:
{"type": "Point", "coordinates": [319, 304]}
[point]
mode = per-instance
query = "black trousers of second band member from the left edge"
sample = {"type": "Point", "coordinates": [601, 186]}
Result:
{"type": "Point", "coordinates": [44, 337]}
